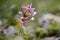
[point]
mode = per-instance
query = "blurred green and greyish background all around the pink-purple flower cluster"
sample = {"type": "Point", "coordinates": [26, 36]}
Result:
{"type": "Point", "coordinates": [45, 26]}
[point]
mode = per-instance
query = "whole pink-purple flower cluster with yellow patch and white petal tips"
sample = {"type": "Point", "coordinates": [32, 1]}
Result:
{"type": "Point", "coordinates": [28, 13]}
